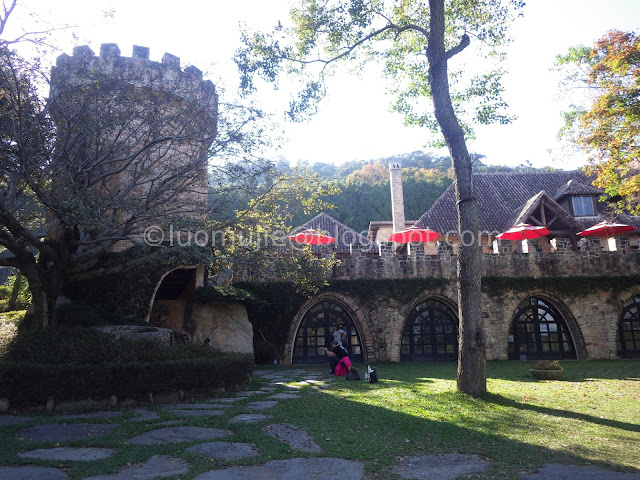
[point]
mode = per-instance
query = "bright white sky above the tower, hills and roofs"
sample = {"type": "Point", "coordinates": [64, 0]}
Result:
{"type": "Point", "coordinates": [354, 121]}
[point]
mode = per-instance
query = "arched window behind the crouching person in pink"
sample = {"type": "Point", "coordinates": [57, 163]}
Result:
{"type": "Point", "coordinates": [315, 331]}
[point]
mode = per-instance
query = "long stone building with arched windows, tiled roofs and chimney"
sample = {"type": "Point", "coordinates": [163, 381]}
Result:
{"type": "Point", "coordinates": [556, 297]}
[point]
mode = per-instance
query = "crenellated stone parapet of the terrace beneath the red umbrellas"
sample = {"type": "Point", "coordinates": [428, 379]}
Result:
{"type": "Point", "coordinates": [542, 259]}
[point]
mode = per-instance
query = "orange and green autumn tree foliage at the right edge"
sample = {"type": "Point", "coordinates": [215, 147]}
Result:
{"type": "Point", "coordinates": [608, 125]}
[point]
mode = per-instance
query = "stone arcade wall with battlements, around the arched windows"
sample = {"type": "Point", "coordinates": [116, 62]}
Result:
{"type": "Point", "coordinates": [591, 314]}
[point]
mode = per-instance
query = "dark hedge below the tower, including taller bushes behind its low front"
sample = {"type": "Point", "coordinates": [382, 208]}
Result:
{"type": "Point", "coordinates": [79, 363]}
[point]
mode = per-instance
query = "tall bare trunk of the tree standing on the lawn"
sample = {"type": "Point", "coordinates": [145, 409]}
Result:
{"type": "Point", "coordinates": [471, 346]}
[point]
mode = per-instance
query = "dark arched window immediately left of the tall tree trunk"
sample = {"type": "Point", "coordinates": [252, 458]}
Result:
{"type": "Point", "coordinates": [430, 334]}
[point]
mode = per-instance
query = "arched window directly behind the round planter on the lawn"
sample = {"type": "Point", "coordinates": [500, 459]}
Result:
{"type": "Point", "coordinates": [539, 332]}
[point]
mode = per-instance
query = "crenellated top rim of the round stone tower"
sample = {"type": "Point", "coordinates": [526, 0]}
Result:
{"type": "Point", "coordinates": [138, 71]}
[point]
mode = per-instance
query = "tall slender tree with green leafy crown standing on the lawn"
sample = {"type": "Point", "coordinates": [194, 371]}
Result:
{"type": "Point", "coordinates": [416, 40]}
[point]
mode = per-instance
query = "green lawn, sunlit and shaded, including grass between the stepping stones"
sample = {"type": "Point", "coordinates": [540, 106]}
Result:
{"type": "Point", "coordinates": [592, 417]}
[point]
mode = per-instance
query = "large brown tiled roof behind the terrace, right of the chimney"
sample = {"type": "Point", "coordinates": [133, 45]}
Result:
{"type": "Point", "coordinates": [504, 196]}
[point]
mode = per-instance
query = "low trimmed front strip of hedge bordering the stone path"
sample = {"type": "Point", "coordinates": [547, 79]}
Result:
{"type": "Point", "coordinates": [30, 383]}
